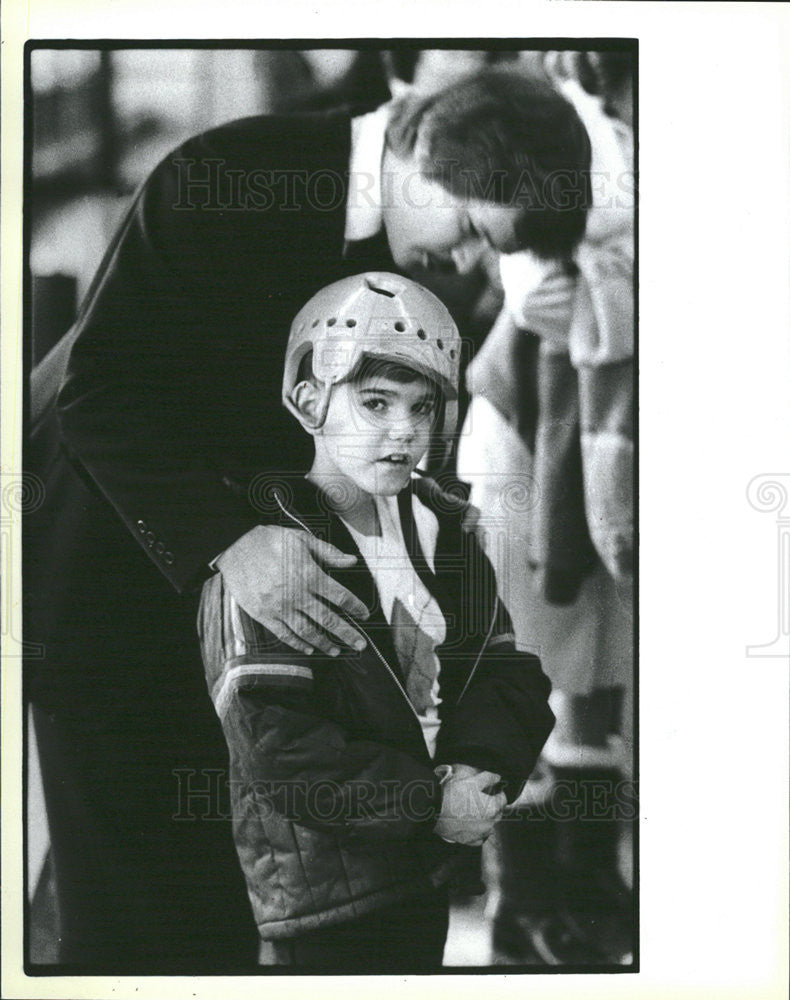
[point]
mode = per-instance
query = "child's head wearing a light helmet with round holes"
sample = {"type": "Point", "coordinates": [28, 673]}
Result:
{"type": "Point", "coordinates": [371, 371]}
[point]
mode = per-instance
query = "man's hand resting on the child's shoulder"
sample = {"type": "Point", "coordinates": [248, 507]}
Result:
{"type": "Point", "coordinates": [275, 575]}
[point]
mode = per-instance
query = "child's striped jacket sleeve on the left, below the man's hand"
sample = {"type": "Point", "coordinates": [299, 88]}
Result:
{"type": "Point", "coordinates": [292, 757]}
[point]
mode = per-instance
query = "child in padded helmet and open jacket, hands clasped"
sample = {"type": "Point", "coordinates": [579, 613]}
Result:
{"type": "Point", "coordinates": [362, 782]}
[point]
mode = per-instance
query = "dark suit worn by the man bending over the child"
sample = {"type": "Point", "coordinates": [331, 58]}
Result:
{"type": "Point", "coordinates": [172, 393]}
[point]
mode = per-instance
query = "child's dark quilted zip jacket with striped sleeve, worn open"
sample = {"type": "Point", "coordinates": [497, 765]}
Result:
{"type": "Point", "coordinates": [333, 792]}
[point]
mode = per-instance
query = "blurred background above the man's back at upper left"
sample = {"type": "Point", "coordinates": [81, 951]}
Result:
{"type": "Point", "coordinates": [101, 120]}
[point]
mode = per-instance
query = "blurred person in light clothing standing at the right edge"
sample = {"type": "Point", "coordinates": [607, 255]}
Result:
{"type": "Point", "coordinates": [549, 454]}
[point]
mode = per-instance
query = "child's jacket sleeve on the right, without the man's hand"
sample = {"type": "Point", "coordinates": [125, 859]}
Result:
{"type": "Point", "coordinates": [503, 717]}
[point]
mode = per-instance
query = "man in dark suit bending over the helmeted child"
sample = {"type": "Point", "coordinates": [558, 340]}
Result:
{"type": "Point", "coordinates": [148, 445]}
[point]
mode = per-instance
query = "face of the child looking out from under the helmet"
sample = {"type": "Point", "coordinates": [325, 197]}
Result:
{"type": "Point", "coordinates": [376, 431]}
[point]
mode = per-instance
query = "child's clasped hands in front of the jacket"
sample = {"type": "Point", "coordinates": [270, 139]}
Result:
{"type": "Point", "coordinates": [468, 812]}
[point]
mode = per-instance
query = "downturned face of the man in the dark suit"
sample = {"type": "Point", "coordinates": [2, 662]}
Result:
{"type": "Point", "coordinates": [430, 229]}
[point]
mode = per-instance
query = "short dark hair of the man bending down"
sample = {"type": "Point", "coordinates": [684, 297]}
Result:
{"type": "Point", "coordinates": [506, 137]}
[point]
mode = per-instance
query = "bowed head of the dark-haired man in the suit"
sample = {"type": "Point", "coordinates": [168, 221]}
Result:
{"type": "Point", "coordinates": [498, 159]}
